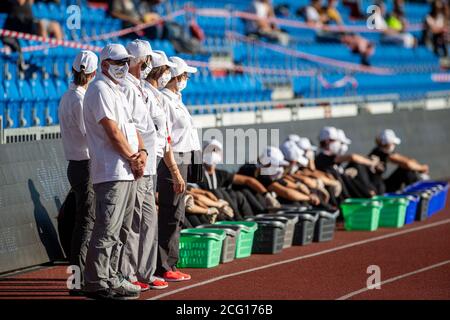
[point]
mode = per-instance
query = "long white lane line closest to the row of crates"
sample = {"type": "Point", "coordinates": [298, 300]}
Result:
{"type": "Point", "coordinates": [346, 246]}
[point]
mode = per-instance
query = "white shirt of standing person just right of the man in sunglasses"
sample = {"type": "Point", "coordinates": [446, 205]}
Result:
{"type": "Point", "coordinates": [139, 110]}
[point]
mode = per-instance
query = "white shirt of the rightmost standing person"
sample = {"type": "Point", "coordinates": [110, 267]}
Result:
{"type": "Point", "coordinates": [182, 131]}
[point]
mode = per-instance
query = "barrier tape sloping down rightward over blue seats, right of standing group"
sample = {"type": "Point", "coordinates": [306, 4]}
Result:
{"type": "Point", "coordinates": [310, 57]}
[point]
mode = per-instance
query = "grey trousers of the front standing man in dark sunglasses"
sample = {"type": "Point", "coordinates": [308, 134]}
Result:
{"type": "Point", "coordinates": [114, 211]}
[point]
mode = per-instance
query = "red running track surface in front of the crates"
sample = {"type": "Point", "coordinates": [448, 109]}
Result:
{"type": "Point", "coordinates": [414, 262]}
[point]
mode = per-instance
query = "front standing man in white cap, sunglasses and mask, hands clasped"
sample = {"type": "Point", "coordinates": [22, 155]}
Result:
{"type": "Point", "coordinates": [117, 160]}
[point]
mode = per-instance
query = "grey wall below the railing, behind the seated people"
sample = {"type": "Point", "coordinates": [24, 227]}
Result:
{"type": "Point", "coordinates": [33, 181]}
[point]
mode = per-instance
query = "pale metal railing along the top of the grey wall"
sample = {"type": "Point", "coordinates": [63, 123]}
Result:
{"type": "Point", "coordinates": [218, 110]}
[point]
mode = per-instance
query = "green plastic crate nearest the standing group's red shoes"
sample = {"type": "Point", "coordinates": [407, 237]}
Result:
{"type": "Point", "coordinates": [200, 249]}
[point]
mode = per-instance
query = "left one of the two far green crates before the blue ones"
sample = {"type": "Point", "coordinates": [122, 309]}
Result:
{"type": "Point", "coordinates": [361, 214]}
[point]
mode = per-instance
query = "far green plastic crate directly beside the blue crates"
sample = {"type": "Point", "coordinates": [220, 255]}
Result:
{"type": "Point", "coordinates": [393, 212]}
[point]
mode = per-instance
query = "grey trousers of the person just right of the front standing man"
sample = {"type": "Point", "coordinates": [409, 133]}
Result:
{"type": "Point", "coordinates": [138, 261]}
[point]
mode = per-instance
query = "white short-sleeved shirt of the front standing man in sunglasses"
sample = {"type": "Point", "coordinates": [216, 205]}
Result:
{"type": "Point", "coordinates": [104, 99]}
